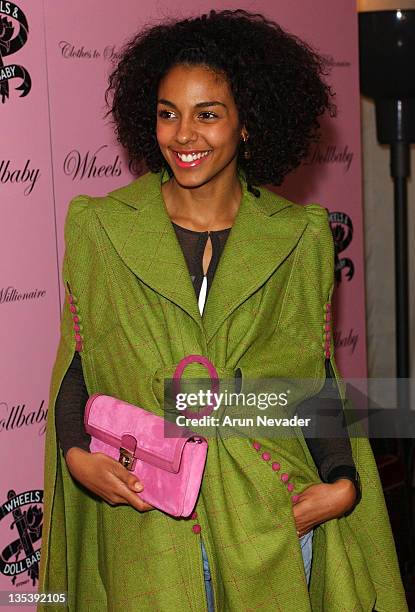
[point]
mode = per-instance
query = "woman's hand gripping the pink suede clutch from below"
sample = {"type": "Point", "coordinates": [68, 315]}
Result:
{"type": "Point", "coordinates": [106, 477]}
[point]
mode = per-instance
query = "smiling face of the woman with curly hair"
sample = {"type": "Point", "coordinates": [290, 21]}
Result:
{"type": "Point", "coordinates": [198, 128]}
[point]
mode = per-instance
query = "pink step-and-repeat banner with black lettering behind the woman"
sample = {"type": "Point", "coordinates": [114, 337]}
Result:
{"type": "Point", "coordinates": [55, 143]}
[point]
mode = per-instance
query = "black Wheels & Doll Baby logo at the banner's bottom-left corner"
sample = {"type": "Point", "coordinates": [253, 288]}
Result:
{"type": "Point", "coordinates": [21, 519]}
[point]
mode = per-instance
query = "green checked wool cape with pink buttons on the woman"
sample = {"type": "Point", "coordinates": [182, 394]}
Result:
{"type": "Point", "coordinates": [265, 315]}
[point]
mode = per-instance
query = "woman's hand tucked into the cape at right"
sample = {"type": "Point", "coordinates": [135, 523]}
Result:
{"type": "Point", "coordinates": [323, 502]}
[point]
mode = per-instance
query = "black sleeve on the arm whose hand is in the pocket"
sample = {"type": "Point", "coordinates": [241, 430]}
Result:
{"type": "Point", "coordinates": [332, 453]}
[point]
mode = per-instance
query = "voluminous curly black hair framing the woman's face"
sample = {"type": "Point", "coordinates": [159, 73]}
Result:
{"type": "Point", "coordinates": [276, 80]}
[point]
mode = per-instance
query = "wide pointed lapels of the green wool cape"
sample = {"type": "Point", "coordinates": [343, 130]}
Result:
{"type": "Point", "coordinates": [142, 234]}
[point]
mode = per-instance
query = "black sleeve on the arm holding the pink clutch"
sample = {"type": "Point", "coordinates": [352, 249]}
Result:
{"type": "Point", "coordinates": [69, 408]}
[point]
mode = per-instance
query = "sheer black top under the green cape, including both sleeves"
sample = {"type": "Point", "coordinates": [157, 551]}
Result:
{"type": "Point", "coordinates": [332, 455]}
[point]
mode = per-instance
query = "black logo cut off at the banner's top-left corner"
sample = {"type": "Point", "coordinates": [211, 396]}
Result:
{"type": "Point", "coordinates": [14, 31]}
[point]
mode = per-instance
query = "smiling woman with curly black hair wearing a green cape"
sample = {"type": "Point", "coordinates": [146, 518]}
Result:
{"type": "Point", "coordinates": [216, 106]}
